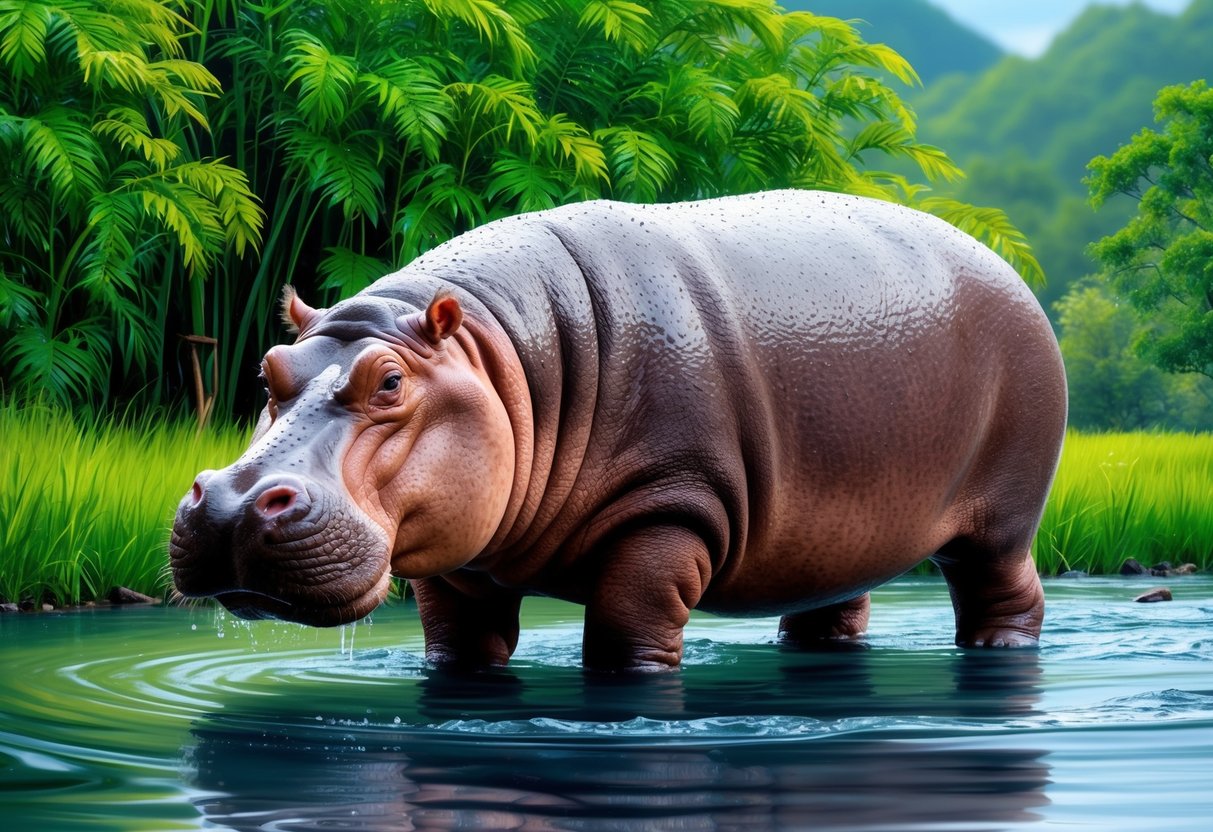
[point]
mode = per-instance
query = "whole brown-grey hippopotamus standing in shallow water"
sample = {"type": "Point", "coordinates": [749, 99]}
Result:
{"type": "Point", "coordinates": [760, 406]}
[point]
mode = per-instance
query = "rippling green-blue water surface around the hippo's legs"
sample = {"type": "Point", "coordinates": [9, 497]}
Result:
{"type": "Point", "coordinates": [183, 720]}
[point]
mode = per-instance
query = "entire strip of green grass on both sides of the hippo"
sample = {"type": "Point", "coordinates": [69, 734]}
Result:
{"type": "Point", "coordinates": [86, 509]}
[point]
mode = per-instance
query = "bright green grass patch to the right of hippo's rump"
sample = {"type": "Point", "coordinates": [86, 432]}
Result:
{"type": "Point", "coordinates": [1130, 495]}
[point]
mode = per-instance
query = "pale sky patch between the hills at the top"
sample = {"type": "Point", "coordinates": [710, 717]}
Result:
{"type": "Point", "coordinates": [1026, 27]}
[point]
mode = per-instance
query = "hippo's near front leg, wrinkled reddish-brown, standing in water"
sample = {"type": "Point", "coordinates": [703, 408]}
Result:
{"type": "Point", "coordinates": [652, 580]}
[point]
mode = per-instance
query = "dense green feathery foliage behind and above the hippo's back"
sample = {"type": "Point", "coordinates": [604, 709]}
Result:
{"type": "Point", "coordinates": [139, 150]}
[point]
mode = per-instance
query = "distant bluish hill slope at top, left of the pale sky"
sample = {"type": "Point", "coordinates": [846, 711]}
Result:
{"type": "Point", "coordinates": [926, 36]}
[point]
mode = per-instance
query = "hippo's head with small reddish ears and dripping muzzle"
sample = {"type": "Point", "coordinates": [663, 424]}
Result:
{"type": "Point", "coordinates": [384, 451]}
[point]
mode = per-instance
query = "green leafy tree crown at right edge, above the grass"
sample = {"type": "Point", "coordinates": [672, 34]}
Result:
{"type": "Point", "coordinates": [1163, 260]}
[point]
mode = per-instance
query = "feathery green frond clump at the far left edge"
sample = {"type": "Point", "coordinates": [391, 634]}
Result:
{"type": "Point", "coordinates": [104, 208]}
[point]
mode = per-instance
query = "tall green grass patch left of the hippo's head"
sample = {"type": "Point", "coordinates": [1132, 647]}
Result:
{"type": "Point", "coordinates": [88, 508]}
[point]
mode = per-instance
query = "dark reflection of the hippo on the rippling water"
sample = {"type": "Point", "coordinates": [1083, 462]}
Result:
{"type": "Point", "coordinates": [760, 739]}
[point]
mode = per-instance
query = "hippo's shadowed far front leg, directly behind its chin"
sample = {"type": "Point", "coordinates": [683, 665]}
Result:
{"type": "Point", "coordinates": [466, 631]}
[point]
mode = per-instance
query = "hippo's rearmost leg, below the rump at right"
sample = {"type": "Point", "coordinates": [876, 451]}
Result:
{"type": "Point", "coordinates": [999, 601]}
